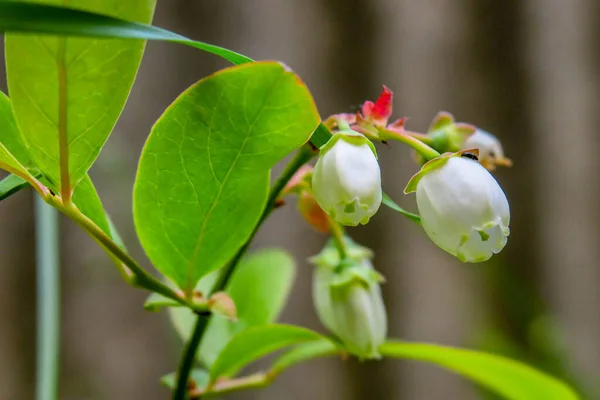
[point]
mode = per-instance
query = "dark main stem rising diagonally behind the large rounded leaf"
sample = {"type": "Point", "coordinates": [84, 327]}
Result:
{"type": "Point", "coordinates": [302, 156]}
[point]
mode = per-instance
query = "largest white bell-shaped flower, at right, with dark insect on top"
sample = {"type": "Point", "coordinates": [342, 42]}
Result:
{"type": "Point", "coordinates": [462, 207]}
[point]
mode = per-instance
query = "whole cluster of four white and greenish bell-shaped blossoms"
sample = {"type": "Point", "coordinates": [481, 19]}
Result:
{"type": "Point", "coordinates": [462, 209]}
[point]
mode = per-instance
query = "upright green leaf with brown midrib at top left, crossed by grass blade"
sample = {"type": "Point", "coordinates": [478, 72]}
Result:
{"type": "Point", "coordinates": [69, 92]}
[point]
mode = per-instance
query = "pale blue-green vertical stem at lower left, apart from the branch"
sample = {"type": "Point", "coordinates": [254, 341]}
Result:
{"type": "Point", "coordinates": [48, 300]}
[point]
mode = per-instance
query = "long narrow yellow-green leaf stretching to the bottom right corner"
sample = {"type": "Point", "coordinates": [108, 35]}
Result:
{"type": "Point", "coordinates": [509, 378]}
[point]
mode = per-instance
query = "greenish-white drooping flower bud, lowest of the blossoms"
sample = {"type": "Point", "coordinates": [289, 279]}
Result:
{"type": "Point", "coordinates": [348, 299]}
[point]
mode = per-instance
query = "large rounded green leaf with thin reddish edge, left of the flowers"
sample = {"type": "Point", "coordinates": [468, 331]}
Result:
{"type": "Point", "coordinates": [203, 177]}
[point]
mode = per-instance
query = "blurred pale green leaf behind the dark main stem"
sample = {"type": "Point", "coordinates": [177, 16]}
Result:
{"type": "Point", "coordinates": [259, 287]}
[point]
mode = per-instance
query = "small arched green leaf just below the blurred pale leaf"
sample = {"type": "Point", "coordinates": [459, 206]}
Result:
{"type": "Point", "coordinates": [255, 343]}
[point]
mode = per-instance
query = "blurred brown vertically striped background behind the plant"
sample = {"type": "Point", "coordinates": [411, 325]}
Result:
{"type": "Point", "coordinates": [527, 71]}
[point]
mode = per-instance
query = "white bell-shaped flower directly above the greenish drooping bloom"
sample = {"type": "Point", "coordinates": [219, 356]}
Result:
{"type": "Point", "coordinates": [347, 181]}
